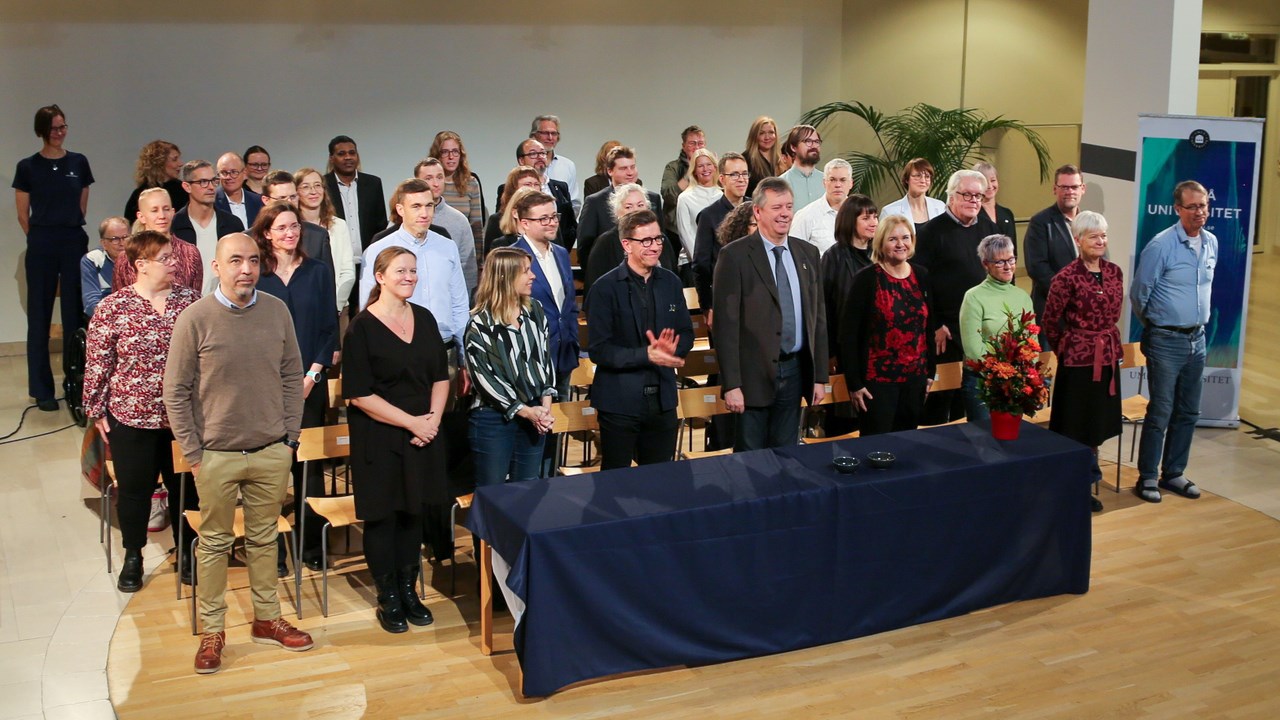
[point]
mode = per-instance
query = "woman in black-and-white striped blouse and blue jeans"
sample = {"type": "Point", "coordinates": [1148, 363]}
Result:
{"type": "Point", "coordinates": [511, 366]}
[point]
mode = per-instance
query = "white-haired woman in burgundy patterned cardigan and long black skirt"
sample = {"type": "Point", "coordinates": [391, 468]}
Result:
{"type": "Point", "coordinates": [1081, 320]}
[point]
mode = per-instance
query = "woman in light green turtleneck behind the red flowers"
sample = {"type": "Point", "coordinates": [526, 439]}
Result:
{"type": "Point", "coordinates": [985, 312]}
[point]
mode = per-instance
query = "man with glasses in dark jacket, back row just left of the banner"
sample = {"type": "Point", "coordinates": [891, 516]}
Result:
{"type": "Point", "coordinates": [1049, 245]}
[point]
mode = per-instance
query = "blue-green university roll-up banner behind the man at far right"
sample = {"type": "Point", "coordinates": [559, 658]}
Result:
{"type": "Point", "coordinates": [1224, 156]}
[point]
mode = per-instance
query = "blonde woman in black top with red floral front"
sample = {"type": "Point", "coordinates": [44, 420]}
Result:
{"type": "Point", "coordinates": [885, 334]}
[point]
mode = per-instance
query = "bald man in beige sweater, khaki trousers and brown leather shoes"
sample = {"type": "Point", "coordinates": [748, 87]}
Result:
{"type": "Point", "coordinates": [234, 393]}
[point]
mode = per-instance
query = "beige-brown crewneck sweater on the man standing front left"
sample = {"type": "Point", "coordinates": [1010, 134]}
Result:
{"type": "Point", "coordinates": [234, 380]}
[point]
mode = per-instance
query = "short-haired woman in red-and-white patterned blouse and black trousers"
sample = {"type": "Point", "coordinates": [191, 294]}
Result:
{"type": "Point", "coordinates": [129, 343]}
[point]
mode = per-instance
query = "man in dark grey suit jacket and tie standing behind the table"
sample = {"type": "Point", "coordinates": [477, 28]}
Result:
{"type": "Point", "coordinates": [771, 325]}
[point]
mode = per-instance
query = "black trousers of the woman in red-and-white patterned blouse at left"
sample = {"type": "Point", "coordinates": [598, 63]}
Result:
{"type": "Point", "coordinates": [141, 457]}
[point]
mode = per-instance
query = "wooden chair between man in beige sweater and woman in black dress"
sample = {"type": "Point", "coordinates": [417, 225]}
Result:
{"type": "Point", "coordinates": [317, 445]}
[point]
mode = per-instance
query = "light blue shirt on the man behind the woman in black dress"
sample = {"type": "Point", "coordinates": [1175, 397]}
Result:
{"type": "Point", "coordinates": [442, 288]}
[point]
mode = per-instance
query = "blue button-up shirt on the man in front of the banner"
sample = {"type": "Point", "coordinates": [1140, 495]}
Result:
{"type": "Point", "coordinates": [1173, 284]}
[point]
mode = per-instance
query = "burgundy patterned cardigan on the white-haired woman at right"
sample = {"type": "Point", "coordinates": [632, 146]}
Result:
{"type": "Point", "coordinates": [1082, 313]}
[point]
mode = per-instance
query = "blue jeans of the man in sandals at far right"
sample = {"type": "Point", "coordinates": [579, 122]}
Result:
{"type": "Point", "coordinates": [1176, 367]}
